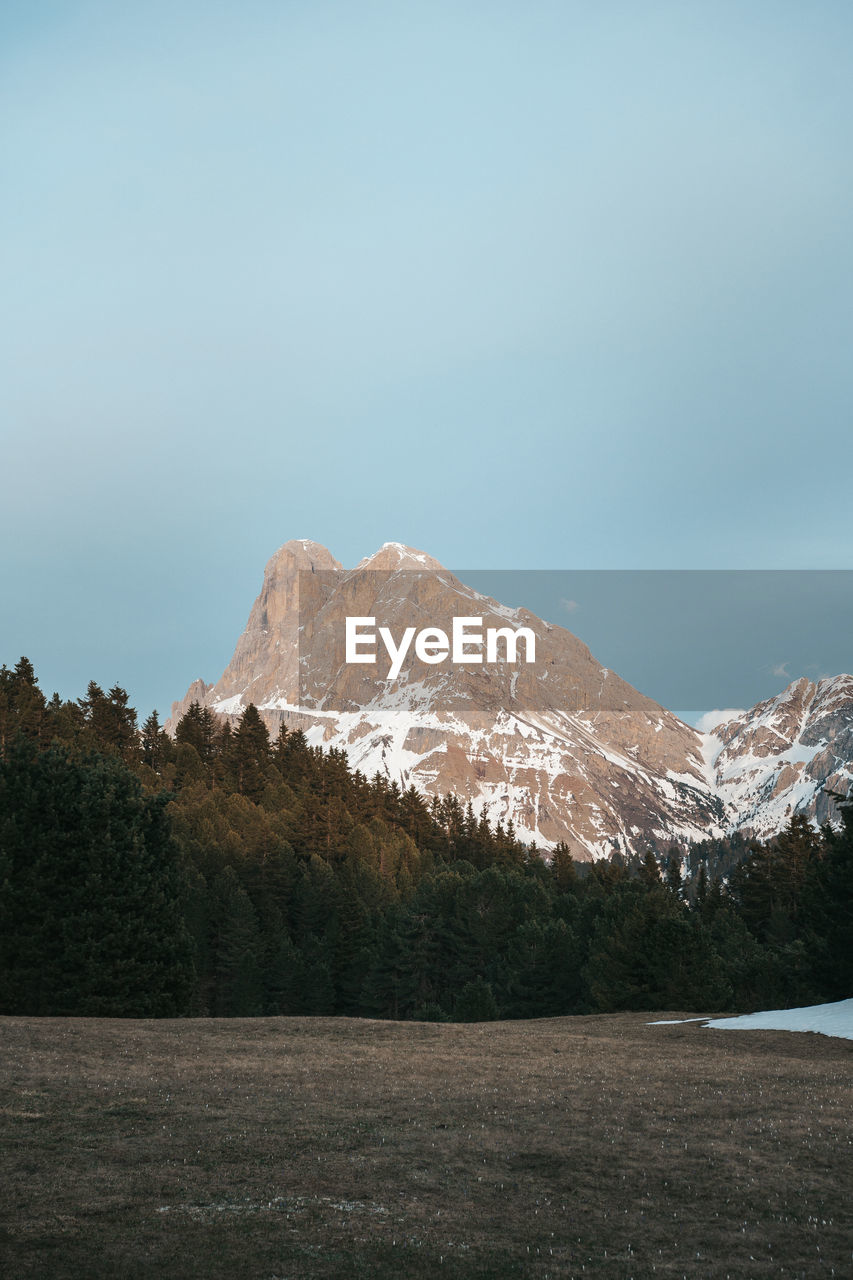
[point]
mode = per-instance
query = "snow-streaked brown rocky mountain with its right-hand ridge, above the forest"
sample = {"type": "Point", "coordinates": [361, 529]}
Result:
{"type": "Point", "coordinates": [562, 746]}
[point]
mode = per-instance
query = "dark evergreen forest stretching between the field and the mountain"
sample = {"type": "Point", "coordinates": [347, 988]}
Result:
{"type": "Point", "coordinates": [229, 875]}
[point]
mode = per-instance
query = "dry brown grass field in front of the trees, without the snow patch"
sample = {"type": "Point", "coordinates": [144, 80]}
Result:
{"type": "Point", "coordinates": [335, 1148]}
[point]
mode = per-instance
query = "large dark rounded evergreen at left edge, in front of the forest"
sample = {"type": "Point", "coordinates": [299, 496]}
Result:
{"type": "Point", "coordinates": [93, 890]}
